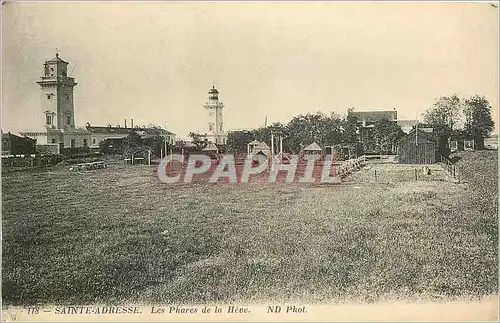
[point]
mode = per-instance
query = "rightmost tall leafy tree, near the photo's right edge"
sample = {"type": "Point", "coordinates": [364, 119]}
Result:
{"type": "Point", "coordinates": [478, 121]}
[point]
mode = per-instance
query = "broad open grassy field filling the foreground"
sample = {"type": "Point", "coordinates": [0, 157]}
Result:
{"type": "Point", "coordinates": [120, 235]}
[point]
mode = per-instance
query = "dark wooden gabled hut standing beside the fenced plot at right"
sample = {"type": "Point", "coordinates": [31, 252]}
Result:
{"type": "Point", "coordinates": [417, 147]}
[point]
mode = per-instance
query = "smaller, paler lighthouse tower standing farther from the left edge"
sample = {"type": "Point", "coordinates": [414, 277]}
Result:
{"type": "Point", "coordinates": [214, 109]}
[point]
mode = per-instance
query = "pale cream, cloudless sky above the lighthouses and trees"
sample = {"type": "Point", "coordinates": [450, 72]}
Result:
{"type": "Point", "coordinates": [155, 61]}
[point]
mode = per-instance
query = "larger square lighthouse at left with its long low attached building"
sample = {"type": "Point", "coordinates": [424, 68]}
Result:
{"type": "Point", "coordinates": [57, 114]}
